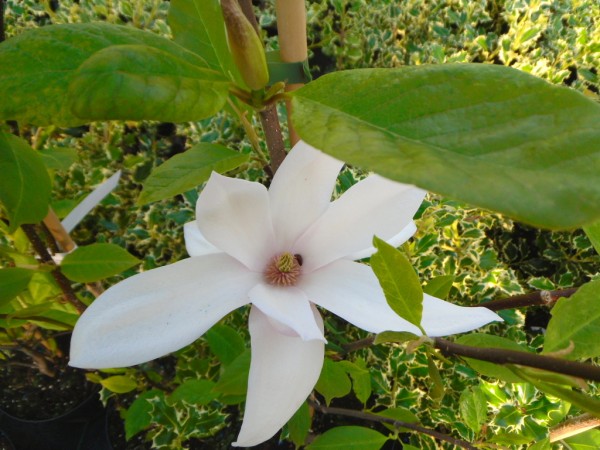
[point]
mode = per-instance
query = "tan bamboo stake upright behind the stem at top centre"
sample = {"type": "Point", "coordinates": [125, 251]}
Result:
{"type": "Point", "coordinates": [291, 28]}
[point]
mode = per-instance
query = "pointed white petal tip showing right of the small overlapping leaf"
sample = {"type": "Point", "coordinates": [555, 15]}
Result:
{"type": "Point", "coordinates": [442, 318]}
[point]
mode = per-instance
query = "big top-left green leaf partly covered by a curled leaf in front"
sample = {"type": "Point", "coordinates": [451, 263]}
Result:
{"type": "Point", "coordinates": [37, 67]}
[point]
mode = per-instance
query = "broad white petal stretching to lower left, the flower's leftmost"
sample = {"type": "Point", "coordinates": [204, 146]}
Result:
{"type": "Point", "coordinates": [159, 311]}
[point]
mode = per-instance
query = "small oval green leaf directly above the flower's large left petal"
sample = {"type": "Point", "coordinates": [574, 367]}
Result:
{"type": "Point", "coordinates": [95, 262]}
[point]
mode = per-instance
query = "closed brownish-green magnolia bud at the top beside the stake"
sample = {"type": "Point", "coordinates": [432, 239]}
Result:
{"type": "Point", "coordinates": [245, 45]}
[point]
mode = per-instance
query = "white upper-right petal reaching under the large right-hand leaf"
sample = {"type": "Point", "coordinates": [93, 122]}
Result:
{"type": "Point", "coordinates": [374, 206]}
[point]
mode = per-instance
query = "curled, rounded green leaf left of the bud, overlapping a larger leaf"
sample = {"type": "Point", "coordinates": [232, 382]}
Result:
{"type": "Point", "coordinates": [138, 82]}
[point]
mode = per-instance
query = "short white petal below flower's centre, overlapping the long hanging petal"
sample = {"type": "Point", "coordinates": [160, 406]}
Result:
{"type": "Point", "coordinates": [289, 306]}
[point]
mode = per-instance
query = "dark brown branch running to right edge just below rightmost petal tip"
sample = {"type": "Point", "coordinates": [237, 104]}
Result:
{"type": "Point", "coordinates": [502, 356]}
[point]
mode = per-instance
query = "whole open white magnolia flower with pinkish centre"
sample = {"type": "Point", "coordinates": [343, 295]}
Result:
{"type": "Point", "coordinates": [284, 251]}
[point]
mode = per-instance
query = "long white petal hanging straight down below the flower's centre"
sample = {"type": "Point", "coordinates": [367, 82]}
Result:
{"type": "Point", "coordinates": [283, 373]}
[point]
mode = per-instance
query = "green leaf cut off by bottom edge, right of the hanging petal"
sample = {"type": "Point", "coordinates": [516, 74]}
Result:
{"type": "Point", "coordinates": [348, 438]}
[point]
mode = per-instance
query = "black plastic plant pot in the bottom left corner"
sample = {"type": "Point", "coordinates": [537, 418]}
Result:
{"type": "Point", "coordinates": [81, 428]}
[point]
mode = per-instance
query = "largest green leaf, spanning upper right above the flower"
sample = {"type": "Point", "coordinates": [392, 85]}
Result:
{"type": "Point", "coordinates": [484, 134]}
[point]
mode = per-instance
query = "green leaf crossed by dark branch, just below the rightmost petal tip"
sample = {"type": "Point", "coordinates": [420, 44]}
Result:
{"type": "Point", "coordinates": [487, 368]}
